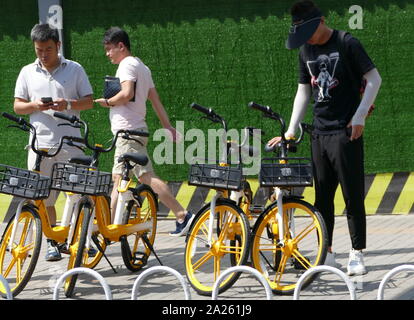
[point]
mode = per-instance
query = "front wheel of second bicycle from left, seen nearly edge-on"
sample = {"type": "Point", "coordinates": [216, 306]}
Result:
{"type": "Point", "coordinates": [78, 252]}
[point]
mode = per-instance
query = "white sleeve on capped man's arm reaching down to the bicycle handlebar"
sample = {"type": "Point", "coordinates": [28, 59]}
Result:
{"type": "Point", "coordinates": [300, 105]}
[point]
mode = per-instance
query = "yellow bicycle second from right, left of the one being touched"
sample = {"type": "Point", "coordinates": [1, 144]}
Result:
{"type": "Point", "coordinates": [219, 237]}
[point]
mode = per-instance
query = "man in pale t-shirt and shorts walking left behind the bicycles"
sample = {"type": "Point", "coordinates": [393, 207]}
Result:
{"type": "Point", "coordinates": [128, 110]}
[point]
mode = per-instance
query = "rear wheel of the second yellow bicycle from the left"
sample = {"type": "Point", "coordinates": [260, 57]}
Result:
{"type": "Point", "coordinates": [135, 251]}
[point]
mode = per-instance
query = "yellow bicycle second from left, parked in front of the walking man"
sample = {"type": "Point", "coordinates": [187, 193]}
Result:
{"type": "Point", "coordinates": [135, 222]}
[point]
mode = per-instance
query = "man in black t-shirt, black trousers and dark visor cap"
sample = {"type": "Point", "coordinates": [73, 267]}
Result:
{"type": "Point", "coordinates": [332, 70]}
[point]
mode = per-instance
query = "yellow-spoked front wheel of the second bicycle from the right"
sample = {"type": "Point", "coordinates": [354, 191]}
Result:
{"type": "Point", "coordinates": [229, 246]}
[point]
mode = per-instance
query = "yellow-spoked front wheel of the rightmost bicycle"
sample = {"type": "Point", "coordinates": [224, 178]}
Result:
{"type": "Point", "coordinates": [305, 244]}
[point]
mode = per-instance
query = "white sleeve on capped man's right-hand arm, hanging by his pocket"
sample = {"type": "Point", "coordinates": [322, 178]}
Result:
{"type": "Point", "coordinates": [371, 90]}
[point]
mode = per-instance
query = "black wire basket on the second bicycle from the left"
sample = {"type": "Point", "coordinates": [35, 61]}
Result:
{"type": "Point", "coordinates": [81, 179]}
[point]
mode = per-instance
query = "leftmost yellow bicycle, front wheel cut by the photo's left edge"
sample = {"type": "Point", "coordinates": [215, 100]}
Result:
{"type": "Point", "coordinates": [21, 241]}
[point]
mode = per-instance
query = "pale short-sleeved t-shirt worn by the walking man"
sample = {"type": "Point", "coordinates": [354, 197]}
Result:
{"type": "Point", "coordinates": [132, 115]}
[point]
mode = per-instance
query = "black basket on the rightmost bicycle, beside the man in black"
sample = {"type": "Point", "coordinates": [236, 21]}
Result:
{"type": "Point", "coordinates": [286, 172]}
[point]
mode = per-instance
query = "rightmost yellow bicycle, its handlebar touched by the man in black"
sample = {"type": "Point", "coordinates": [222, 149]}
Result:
{"type": "Point", "coordinates": [290, 235]}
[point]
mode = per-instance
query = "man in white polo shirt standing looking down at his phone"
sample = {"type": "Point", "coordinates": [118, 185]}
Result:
{"type": "Point", "coordinates": [66, 82]}
